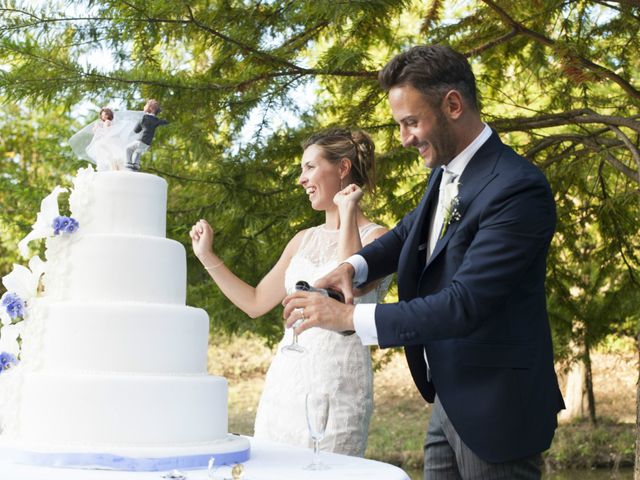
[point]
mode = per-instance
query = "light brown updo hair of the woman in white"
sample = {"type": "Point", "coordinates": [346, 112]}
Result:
{"type": "Point", "coordinates": [356, 145]}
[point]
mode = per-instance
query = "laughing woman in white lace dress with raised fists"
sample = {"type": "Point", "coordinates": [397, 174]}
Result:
{"type": "Point", "coordinates": [335, 165]}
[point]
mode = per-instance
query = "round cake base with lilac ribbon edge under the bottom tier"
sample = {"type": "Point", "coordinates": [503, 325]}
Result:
{"type": "Point", "coordinates": [228, 450]}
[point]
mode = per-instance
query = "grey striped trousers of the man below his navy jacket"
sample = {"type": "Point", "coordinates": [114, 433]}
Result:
{"type": "Point", "coordinates": [446, 457]}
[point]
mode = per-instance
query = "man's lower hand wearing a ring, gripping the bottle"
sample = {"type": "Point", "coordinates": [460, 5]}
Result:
{"type": "Point", "coordinates": [317, 311]}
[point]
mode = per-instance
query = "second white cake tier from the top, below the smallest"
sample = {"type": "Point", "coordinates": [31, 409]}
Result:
{"type": "Point", "coordinates": [122, 268]}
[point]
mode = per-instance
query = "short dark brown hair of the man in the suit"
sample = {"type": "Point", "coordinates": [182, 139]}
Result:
{"type": "Point", "coordinates": [433, 70]}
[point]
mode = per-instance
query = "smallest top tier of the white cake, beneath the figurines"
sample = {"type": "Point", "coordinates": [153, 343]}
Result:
{"type": "Point", "coordinates": [123, 202]}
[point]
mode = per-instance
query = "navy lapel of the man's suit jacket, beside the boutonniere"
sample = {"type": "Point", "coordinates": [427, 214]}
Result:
{"type": "Point", "coordinates": [478, 173]}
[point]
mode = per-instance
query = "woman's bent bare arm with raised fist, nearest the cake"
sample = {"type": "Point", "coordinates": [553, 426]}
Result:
{"type": "Point", "coordinates": [254, 301]}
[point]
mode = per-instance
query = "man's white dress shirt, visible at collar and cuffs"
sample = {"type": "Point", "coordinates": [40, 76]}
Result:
{"type": "Point", "coordinates": [364, 319]}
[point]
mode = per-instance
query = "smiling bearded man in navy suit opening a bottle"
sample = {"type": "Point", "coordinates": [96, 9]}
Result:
{"type": "Point", "coordinates": [471, 262]}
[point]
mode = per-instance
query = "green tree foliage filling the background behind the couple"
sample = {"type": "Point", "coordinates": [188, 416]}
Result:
{"type": "Point", "coordinates": [557, 79]}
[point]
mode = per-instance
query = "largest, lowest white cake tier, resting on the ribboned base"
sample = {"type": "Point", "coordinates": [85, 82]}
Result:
{"type": "Point", "coordinates": [130, 411]}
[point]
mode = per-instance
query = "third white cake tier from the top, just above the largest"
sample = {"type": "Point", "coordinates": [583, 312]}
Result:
{"type": "Point", "coordinates": [126, 337]}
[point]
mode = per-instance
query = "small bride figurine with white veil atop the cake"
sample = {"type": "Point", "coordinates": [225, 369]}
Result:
{"type": "Point", "coordinates": [104, 141]}
